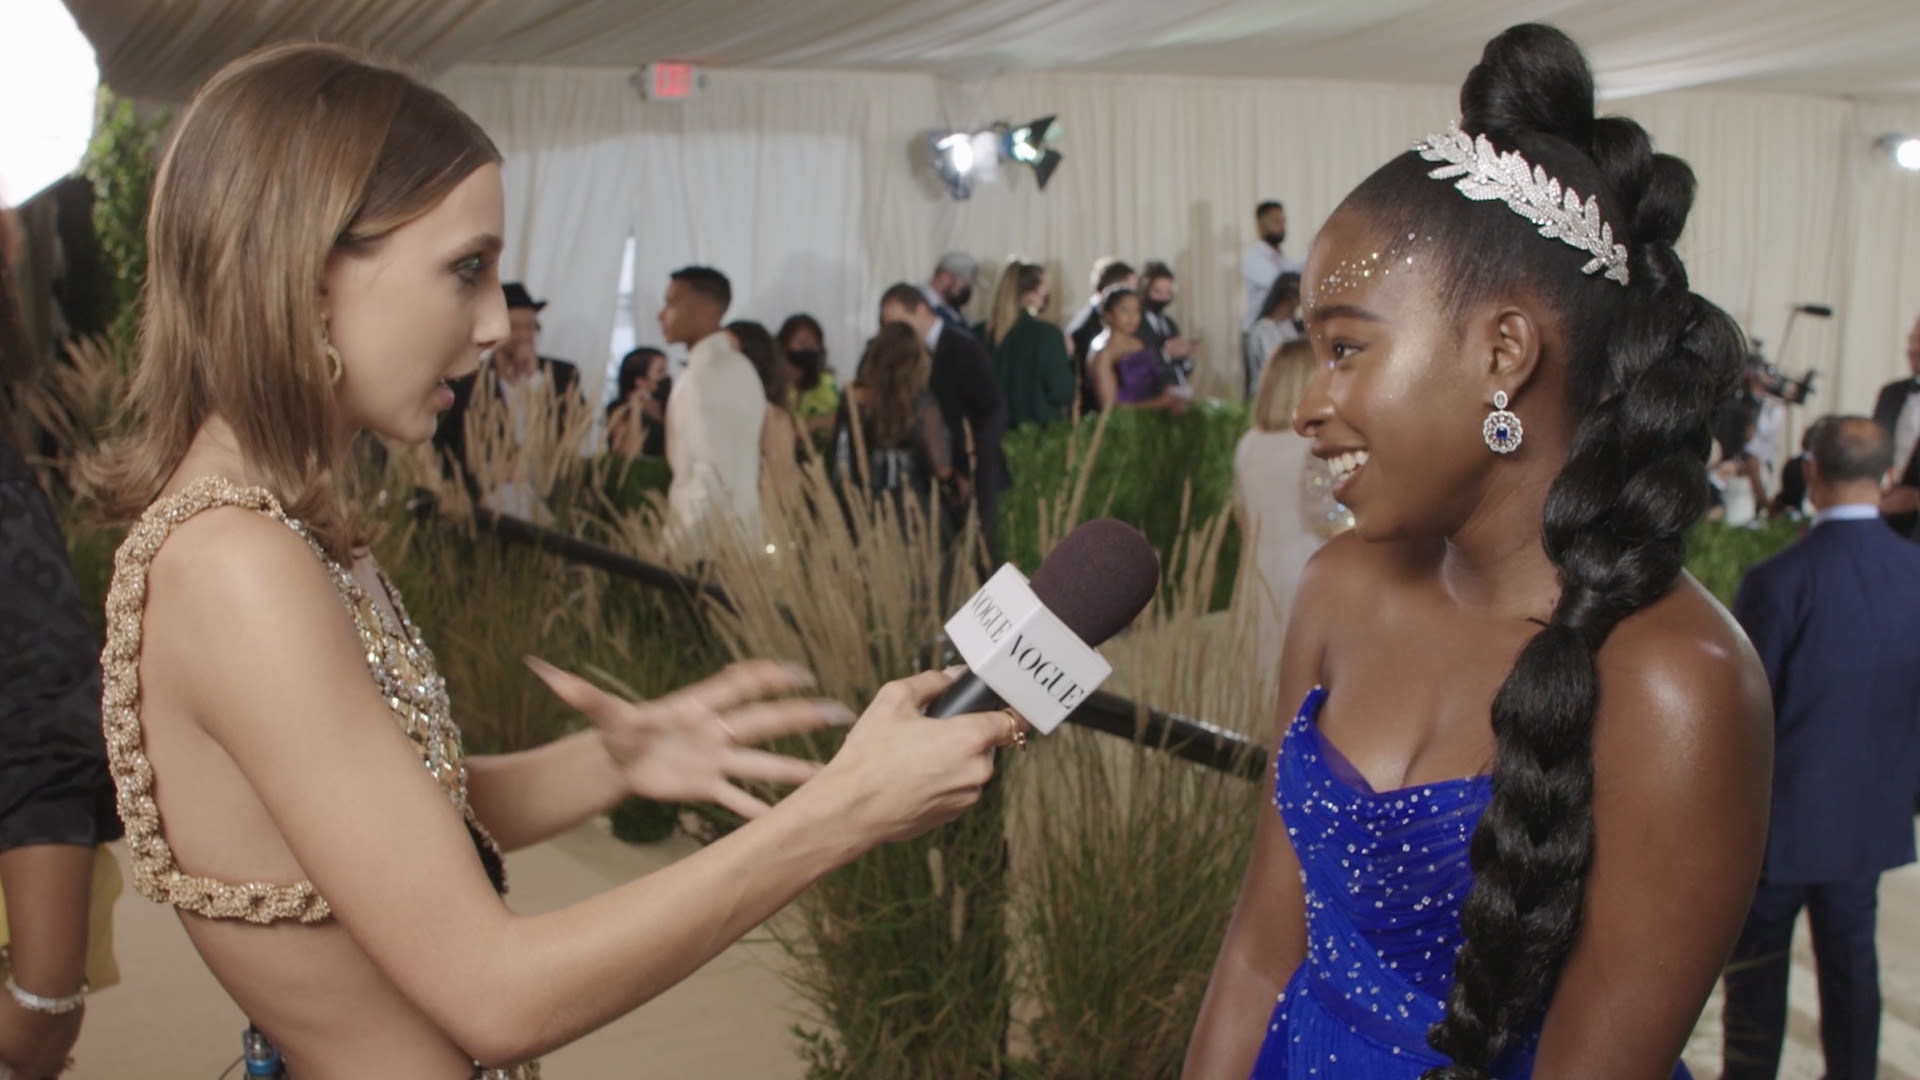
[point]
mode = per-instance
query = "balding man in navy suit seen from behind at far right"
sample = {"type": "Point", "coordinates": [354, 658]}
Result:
{"type": "Point", "coordinates": [1836, 620]}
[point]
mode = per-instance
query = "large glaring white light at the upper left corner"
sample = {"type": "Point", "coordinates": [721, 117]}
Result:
{"type": "Point", "coordinates": [49, 82]}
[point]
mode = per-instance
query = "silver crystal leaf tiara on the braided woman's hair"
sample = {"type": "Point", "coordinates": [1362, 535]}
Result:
{"type": "Point", "coordinates": [1487, 174]}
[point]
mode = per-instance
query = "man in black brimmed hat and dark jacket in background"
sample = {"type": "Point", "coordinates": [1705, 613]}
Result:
{"type": "Point", "coordinates": [527, 387]}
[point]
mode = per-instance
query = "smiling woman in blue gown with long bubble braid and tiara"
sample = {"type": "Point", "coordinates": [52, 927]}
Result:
{"type": "Point", "coordinates": [1520, 816]}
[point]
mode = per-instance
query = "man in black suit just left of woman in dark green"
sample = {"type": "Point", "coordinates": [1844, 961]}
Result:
{"type": "Point", "coordinates": [969, 397]}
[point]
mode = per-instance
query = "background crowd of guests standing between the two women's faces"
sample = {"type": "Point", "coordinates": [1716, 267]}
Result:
{"type": "Point", "coordinates": [932, 399]}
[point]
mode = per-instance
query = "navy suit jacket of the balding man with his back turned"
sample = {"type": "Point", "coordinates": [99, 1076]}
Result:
{"type": "Point", "coordinates": [1836, 620]}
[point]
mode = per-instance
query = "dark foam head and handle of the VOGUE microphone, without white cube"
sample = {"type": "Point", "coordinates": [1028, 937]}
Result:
{"type": "Point", "coordinates": [1097, 581]}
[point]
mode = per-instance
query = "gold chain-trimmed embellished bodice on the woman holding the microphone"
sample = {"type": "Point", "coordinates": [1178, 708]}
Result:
{"type": "Point", "coordinates": [396, 658]}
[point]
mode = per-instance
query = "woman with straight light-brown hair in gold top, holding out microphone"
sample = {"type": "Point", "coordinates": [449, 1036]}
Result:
{"type": "Point", "coordinates": [324, 257]}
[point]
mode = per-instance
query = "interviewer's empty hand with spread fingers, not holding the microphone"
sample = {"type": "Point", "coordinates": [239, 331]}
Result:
{"type": "Point", "coordinates": [696, 743]}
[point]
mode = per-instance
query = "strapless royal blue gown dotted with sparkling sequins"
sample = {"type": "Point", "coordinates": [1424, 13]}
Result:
{"type": "Point", "coordinates": [1385, 875]}
